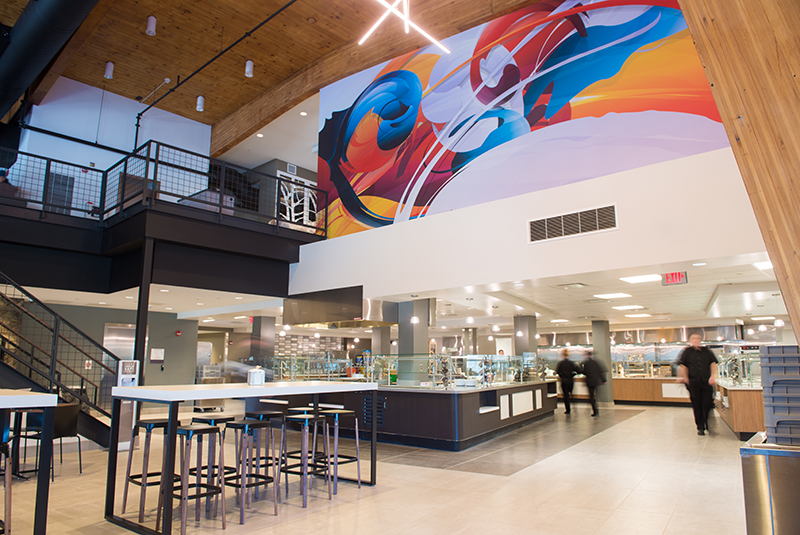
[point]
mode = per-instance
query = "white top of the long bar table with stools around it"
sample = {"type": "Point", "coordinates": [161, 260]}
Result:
{"type": "Point", "coordinates": [235, 390]}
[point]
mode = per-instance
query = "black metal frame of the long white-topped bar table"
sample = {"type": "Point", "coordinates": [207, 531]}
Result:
{"type": "Point", "coordinates": [113, 453]}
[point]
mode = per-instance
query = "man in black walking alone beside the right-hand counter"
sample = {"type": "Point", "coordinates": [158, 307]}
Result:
{"type": "Point", "coordinates": [697, 369]}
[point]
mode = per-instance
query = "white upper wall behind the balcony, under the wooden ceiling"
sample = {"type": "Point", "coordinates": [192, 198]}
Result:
{"type": "Point", "coordinates": [98, 116]}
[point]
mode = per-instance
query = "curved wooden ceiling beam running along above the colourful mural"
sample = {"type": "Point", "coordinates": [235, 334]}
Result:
{"type": "Point", "coordinates": [440, 18]}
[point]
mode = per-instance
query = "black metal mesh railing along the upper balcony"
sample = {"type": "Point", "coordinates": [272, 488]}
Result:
{"type": "Point", "coordinates": [160, 173]}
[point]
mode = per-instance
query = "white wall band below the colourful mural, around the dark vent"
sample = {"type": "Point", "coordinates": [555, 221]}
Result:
{"type": "Point", "coordinates": [695, 207]}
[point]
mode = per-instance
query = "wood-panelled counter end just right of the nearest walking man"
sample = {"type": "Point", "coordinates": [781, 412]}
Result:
{"type": "Point", "coordinates": [742, 408]}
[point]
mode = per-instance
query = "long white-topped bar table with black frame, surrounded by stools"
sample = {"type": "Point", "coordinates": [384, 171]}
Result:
{"type": "Point", "coordinates": [174, 395]}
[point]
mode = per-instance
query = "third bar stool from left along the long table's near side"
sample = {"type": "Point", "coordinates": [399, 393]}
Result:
{"type": "Point", "coordinates": [244, 479]}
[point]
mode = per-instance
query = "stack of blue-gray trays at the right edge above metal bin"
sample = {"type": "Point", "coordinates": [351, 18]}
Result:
{"type": "Point", "coordinates": [780, 377]}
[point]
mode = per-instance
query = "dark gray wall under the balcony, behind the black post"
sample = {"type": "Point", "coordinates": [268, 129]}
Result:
{"type": "Point", "coordinates": [180, 352]}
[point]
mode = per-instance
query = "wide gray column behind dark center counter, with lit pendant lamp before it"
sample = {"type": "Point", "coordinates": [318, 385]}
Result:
{"type": "Point", "coordinates": [412, 326]}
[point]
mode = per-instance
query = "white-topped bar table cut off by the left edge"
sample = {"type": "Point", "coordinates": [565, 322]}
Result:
{"type": "Point", "coordinates": [20, 399]}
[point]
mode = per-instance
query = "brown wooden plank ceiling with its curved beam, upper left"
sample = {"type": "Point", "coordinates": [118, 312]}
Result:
{"type": "Point", "coordinates": [310, 45]}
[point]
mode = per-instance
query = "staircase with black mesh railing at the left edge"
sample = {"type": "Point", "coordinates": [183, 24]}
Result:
{"type": "Point", "coordinates": [41, 350]}
